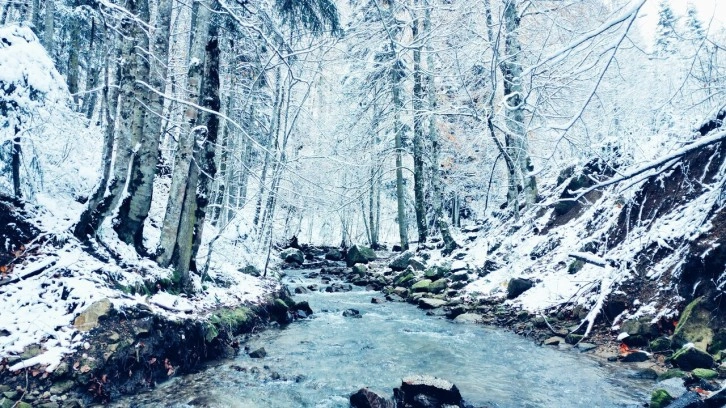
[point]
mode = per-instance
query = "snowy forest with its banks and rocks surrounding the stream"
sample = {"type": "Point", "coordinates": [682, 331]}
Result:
{"type": "Point", "coordinates": [554, 168]}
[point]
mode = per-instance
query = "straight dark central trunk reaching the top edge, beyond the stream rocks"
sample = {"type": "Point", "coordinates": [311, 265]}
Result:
{"type": "Point", "coordinates": [418, 139]}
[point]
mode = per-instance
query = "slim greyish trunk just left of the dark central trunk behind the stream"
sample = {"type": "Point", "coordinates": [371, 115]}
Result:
{"type": "Point", "coordinates": [397, 74]}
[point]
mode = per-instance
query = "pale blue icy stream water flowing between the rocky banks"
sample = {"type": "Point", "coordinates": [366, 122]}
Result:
{"type": "Point", "coordinates": [319, 362]}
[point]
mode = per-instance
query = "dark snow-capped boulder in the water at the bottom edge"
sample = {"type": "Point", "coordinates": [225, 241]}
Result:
{"type": "Point", "coordinates": [427, 391]}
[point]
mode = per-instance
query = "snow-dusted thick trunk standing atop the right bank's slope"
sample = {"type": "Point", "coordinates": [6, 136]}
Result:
{"type": "Point", "coordinates": [516, 138]}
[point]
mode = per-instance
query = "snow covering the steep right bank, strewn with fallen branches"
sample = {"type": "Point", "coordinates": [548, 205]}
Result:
{"type": "Point", "coordinates": [605, 271]}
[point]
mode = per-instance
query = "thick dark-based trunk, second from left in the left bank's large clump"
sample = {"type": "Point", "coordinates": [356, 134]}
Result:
{"type": "Point", "coordinates": [135, 209]}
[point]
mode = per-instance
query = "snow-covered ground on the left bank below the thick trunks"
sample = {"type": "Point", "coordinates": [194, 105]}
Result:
{"type": "Point", "coordinates": [41, 309]}
